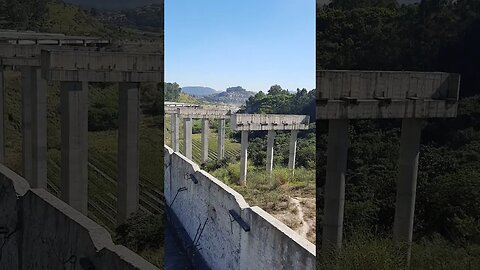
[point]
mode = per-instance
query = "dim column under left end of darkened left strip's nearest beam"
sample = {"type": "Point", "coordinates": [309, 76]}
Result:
{"type": "Point", "coordinates": [74, 144]}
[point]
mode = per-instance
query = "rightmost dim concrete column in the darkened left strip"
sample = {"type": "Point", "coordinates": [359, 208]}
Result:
{"type": "Point", "coordinates": [128, 151]}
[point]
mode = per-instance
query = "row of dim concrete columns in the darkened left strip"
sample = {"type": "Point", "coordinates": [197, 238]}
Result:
{"type": "Point", "coordinates": [74, 140]}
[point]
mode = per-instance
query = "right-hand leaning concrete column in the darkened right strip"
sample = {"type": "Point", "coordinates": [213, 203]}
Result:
{"type": "Point", "coordinates": [407, 183]}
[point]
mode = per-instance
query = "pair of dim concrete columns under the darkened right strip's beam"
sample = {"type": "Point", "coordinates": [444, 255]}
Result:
{"type": "Point", "coordinates": [335, 182]}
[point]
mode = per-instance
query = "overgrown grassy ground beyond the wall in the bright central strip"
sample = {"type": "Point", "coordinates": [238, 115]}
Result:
{"type": "Point", "coordinates": [291, 199]}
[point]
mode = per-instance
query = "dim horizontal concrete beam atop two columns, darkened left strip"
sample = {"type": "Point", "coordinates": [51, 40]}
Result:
{"type": "Point", "coordinates": [101, 66]}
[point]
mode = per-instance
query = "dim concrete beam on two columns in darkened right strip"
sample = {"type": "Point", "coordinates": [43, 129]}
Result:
{"type": "Point", "coordinates": [350, 95]}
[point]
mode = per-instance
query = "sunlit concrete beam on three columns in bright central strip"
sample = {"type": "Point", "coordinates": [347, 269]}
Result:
{"type": "Point", "coordinates": [271, 123]}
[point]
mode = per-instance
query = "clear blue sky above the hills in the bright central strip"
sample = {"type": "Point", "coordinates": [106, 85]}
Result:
{"type": "Point", "coordinates": [248, 43]}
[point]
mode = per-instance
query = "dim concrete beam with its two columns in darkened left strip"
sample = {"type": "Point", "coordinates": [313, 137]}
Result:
{"type": "Point", "coordinates": [75, 70]}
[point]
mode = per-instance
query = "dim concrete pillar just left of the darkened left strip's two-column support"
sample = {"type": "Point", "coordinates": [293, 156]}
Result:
{"type": "Point", "coordinates": [34, 102]}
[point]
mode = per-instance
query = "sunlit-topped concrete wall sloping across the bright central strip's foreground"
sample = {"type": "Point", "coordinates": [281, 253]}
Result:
{"type": "Point", "coordinates": [223, 243]}
